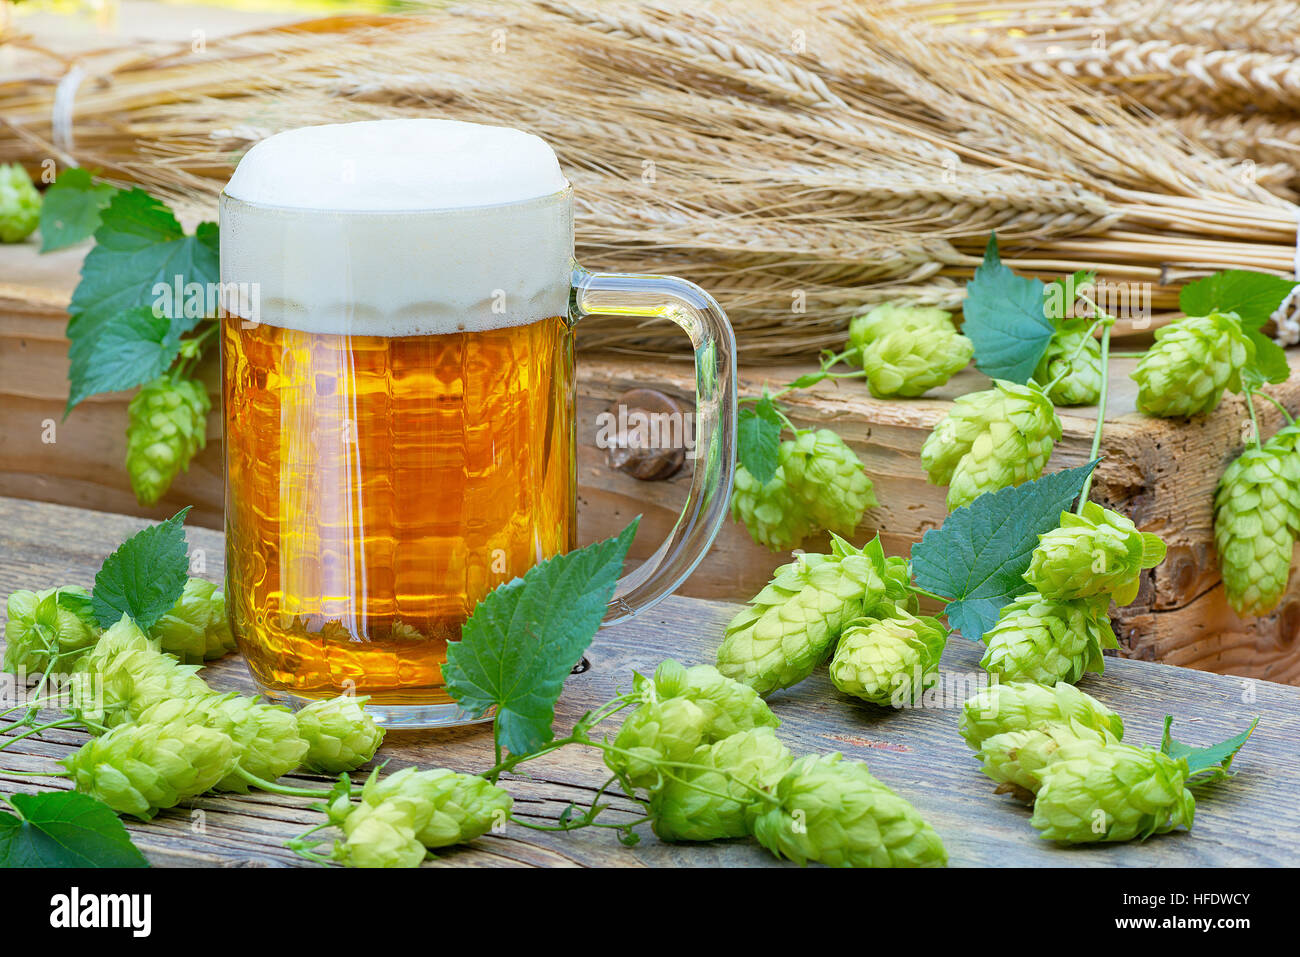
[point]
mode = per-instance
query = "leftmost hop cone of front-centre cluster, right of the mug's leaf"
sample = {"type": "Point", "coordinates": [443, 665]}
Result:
{"type": "Point", "coordinates": [658, 731]}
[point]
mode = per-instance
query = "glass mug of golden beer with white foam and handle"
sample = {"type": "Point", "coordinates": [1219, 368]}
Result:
{"type": "Point", "coordinates": [398, 396]}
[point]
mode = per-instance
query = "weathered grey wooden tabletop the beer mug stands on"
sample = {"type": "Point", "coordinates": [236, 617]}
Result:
{"type": "Point", "coordinates": [1251, 821]}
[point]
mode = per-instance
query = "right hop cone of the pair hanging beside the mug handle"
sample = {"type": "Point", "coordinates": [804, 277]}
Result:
{"type": "Point", "coordinates": [827, 480]}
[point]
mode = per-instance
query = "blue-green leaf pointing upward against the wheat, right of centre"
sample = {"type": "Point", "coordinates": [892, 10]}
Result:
{"type": "Point", "coordinates": [1006, 318]}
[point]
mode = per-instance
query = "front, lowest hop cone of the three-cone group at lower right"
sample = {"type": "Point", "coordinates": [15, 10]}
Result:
{"type": "Point", "coordinates": [1112, 794]}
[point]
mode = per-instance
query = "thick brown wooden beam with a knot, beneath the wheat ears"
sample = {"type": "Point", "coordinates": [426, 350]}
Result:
{"type": "Point", "coordinates": [1160, 473]}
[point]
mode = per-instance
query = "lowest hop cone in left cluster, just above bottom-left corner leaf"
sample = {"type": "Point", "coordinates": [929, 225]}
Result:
{"type": "Point", "coordinates": [140, 769]}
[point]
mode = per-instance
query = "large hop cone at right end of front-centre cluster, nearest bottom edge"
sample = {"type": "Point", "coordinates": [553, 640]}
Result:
{"type": "Point", "coordinates": [833, 811]}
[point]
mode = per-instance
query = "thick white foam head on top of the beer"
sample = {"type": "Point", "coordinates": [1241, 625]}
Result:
{"type": "Point", "coordinates": [398, 228]}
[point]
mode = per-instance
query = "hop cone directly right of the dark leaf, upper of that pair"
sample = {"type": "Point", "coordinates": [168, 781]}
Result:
{"type": "Point", "coordinates": [1097, 553]}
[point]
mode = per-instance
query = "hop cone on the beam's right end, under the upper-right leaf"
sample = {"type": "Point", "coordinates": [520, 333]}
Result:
{"type": "Point", "coordinates": [1191, 363]}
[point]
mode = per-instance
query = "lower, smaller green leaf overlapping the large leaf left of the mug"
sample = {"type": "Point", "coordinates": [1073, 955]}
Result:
{"type": "Point", "coordinates": [128, 349]}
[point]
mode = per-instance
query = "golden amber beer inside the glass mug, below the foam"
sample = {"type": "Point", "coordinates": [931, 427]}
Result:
{"type": "Point", "coordinates": [378, 488]}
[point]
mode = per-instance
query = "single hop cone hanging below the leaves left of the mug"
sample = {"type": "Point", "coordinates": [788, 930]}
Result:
{"type": "Point", "coordinates": [167, 425]}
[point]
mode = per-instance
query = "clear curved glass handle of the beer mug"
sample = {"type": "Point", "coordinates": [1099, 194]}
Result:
{"type": "Point", "coordinates": [709, 499]}
